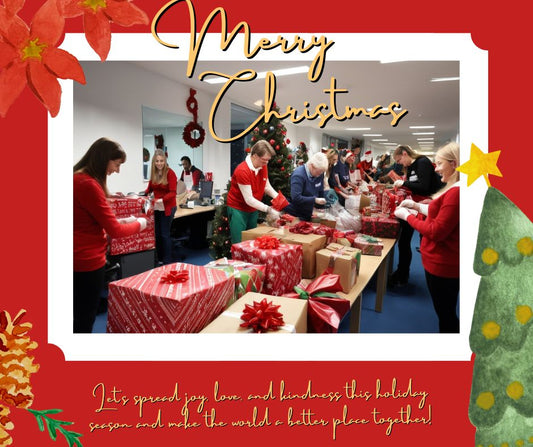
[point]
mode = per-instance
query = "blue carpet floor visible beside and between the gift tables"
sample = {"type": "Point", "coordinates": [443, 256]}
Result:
{"type": "Point", "coordinates": [405, 310]}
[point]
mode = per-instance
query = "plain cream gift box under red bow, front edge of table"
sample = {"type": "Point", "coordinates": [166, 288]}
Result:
{"type": "Point", "coordinates": [294, 315]}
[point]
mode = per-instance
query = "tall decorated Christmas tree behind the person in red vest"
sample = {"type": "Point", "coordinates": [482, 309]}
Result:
{"type": "Point", "coordinates": [280, 166]}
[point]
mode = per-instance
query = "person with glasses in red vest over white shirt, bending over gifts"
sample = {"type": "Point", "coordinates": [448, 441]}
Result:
{"type": "Point", "coordinates": [249, 183]}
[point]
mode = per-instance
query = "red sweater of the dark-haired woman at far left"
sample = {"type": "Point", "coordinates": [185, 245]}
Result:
{"type": "Point", "coordinates": [93, 218]}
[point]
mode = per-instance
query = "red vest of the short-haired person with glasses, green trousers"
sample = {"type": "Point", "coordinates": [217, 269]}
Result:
{"type": "Point", "coordinates": [243, 175]}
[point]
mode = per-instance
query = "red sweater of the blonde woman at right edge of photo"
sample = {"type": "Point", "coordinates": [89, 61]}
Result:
{"type": "Point", "coordinates": [440, 231]}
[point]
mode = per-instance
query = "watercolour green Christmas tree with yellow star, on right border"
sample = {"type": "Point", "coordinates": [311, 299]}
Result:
{"type": "Point", "coordinates": [501, 399]}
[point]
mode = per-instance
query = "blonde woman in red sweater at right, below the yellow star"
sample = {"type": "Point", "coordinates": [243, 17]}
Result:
{"type": "Point", "coordinates": [440, 244]}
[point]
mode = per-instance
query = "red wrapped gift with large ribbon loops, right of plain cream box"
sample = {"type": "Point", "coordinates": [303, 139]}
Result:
{"type": "Point", "coordinates": [324, 313]}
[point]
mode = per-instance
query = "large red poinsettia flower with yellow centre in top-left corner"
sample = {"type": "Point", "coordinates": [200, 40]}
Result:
{"type": "Point", "coordinates": [29, 56]}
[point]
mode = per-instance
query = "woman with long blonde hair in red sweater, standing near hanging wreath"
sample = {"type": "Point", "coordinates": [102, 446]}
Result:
{"type": "Point", "coordinates": [163, 183]}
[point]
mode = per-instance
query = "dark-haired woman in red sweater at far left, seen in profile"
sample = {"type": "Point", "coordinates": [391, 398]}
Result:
{"type": "Point", "coordinates": [93, 220]}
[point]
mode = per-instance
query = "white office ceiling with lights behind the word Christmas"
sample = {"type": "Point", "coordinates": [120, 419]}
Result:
{"type": "Point", "coordinates": [369, 83]}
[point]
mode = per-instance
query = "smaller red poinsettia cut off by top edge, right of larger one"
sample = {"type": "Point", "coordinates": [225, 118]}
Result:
{"type": "Point", "coordinates": [97, 18]}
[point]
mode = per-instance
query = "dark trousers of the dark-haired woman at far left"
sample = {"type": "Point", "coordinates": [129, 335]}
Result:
{"type": "Point", "coordinates": [88, 287]}
